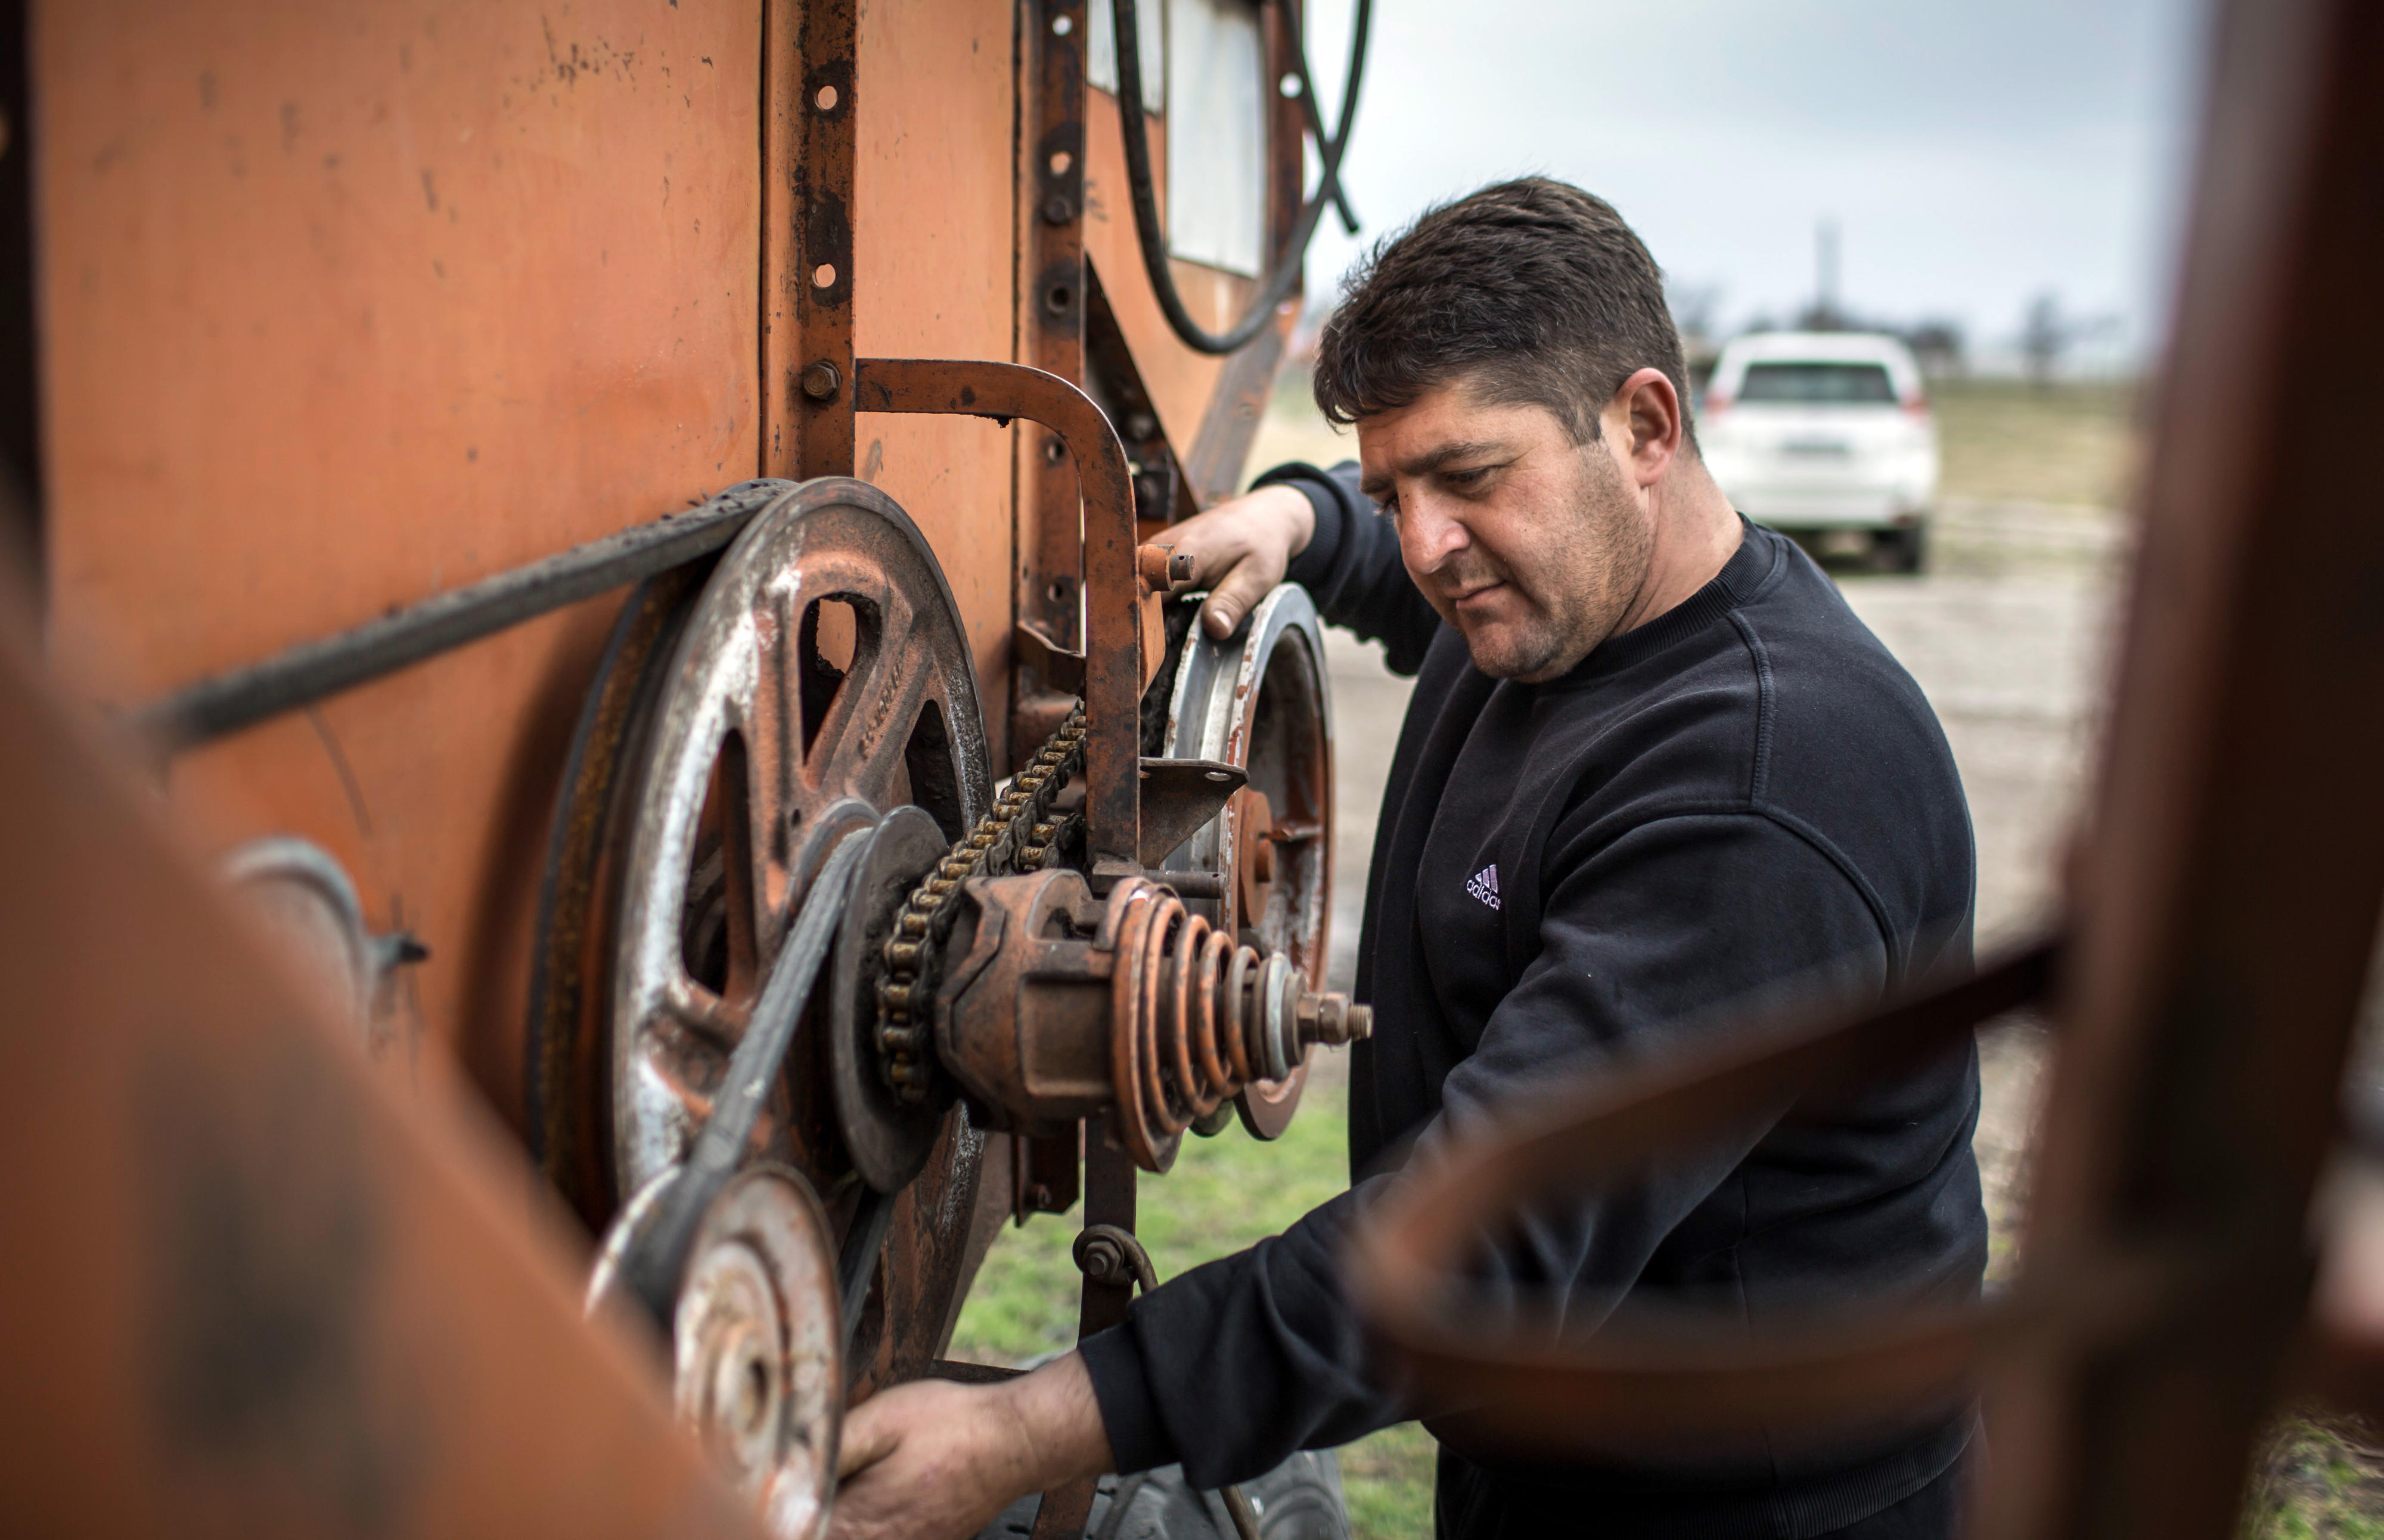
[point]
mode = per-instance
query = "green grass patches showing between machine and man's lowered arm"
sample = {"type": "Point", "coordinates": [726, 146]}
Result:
{"type": "Point", "coordinates": [1222, 1196]}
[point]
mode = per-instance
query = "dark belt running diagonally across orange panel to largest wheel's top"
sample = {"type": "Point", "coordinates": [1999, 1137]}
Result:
{"type": "Point", "coordinates": [323, 669]}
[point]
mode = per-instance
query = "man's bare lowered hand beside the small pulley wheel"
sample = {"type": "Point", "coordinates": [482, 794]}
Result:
{"type": "Point", "coordinates": [940, 1463]}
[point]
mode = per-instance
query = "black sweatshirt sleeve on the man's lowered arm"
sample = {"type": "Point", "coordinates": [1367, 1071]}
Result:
{"type": "Point", "coordinates": [1246, 1360]}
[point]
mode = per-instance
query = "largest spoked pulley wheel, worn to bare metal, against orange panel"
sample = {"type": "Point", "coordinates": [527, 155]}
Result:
{"type": "Point", "coordinates": [814, 688]}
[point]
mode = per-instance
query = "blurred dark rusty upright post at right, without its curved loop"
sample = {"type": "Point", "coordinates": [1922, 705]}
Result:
{"type": "Point", "coordinates": [2235, 859]}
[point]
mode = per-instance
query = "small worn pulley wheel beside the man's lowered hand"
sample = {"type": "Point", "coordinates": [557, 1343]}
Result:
{"type": "Point", "coordinates": [757, 1341]}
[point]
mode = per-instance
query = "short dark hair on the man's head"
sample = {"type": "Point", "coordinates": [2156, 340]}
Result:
{"type": "Point", "coordinates": [1529, 290]}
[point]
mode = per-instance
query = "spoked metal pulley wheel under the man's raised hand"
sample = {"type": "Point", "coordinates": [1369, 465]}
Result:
{"type": "Point", "coordinates": [1260, 702]}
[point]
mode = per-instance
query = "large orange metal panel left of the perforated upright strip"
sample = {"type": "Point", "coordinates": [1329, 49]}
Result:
{"type": "Point", "coordinates": [354, 304]}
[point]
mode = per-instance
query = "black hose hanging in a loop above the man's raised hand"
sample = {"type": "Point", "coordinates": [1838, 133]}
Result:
{"type": "Point", "coordinates": [1146, 194]}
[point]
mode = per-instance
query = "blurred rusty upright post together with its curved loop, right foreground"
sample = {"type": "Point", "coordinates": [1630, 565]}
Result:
{"type": "Point", "coordinates": [2225, 914]}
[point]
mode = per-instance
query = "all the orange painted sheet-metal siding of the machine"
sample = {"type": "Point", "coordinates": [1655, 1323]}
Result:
{"type": "Point", "coordinates": [349, 306]}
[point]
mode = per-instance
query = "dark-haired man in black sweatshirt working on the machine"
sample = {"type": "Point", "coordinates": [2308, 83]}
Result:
{"type": "Point", "coordinates": [1653, 766]}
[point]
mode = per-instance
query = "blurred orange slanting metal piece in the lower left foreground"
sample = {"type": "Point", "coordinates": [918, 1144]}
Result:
{"type": "Point", "coordinates": [249, 1288]}
